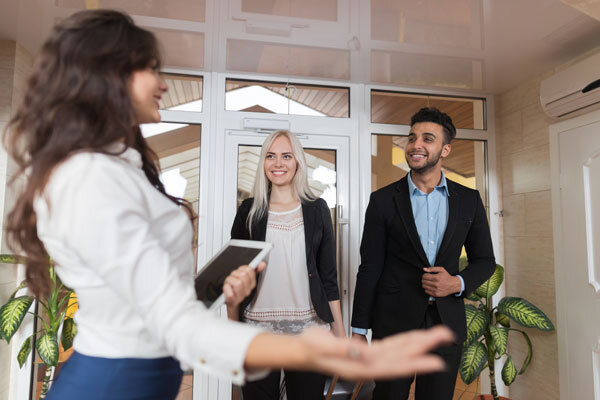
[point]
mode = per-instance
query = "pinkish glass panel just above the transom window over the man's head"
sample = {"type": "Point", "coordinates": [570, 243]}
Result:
{"type": "Point", "coordinates": [426, 70]}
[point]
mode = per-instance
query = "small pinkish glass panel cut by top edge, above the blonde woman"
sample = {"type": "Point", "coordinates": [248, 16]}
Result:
{"type": "Point", "coordinates": [325, 10]}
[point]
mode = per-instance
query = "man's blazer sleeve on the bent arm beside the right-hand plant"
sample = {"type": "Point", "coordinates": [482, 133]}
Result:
{"type": "Point", "coordinates": [480, 251]}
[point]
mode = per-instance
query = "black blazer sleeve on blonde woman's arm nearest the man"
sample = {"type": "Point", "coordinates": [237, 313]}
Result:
{"type": "Point", "coordinates": [326, 264]}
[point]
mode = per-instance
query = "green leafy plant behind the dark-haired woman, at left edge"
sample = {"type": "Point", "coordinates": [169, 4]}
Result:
{"type": "Point", "coordinates": [54, 306]}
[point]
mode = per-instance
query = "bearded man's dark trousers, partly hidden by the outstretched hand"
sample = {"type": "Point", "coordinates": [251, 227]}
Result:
{"type": "Point", "coordinates": [438, 386]}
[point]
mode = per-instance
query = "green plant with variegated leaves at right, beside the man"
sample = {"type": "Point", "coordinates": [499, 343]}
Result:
{"type": "Point", "coordinates": [488, 329]}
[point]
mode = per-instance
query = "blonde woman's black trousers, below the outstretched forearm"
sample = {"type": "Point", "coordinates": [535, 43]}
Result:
{"type": "Point", "coordinates": [299, 386]}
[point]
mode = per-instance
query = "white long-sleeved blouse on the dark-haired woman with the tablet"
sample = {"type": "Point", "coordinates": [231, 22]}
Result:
{"type": "Point", "coordinates": [126, 251]}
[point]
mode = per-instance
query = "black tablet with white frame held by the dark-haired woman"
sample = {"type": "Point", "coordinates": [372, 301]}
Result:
{"type": "Point", "coordinates": [210, 279]}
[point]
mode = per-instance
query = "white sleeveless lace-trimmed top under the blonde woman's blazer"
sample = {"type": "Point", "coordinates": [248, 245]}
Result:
{"type": "Point", "coordinates": [283, 301]}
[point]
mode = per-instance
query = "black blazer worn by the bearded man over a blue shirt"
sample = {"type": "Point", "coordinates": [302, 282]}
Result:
{"type": "Point", "coordinates": [389, 297]}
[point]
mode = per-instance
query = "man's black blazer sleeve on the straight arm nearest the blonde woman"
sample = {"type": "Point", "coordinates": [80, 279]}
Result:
{"type": "Point", "coordinates": [372, 253]}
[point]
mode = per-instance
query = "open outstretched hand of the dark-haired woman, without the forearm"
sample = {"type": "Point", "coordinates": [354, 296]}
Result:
{"type": "Point", "coordinates": [403, 354]}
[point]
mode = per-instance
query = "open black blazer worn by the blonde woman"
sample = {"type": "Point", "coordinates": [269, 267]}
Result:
{"type": "Point", "coordinates": [320, 252]}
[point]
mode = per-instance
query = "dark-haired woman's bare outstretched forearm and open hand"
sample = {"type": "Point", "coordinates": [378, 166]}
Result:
{"type": "Point", "coordinates": [317, 350]}
